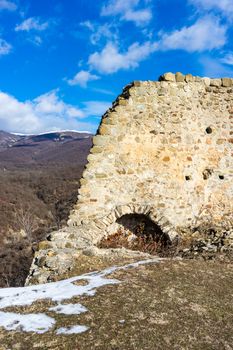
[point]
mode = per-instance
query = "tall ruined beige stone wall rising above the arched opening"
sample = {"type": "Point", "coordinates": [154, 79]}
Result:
{"type": "Point", "coordinates": [165, 149]}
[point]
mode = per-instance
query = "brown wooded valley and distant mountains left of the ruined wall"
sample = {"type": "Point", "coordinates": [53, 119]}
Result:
{"type": "Point", "coordinates": [39, 181]}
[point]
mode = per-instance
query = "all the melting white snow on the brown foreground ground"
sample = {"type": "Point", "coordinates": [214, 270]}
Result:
{"type": "Point", "coordinates": [57, 292]}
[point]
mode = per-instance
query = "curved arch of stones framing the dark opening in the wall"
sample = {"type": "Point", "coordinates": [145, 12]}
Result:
{"type": "Point", "coordinates": [146, 210]}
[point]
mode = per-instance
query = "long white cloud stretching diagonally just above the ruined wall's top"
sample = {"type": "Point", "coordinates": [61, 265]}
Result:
{"type": "Point", "coordinates": [193, 38]}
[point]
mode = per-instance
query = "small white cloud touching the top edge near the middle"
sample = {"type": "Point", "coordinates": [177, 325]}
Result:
{"type": "Point", "coordinates": [128, 10]}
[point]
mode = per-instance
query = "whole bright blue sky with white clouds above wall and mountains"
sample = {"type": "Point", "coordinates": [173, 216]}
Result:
{"type": "Point", "coordinates": [63, 62]}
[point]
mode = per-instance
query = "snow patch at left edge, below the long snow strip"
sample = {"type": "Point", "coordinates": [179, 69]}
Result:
{"type": "Point", "coordinates": [38, 323]}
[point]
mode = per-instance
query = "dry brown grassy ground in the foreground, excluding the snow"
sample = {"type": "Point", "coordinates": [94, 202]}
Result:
{"type": "Point", "coordinates": [174, 304]}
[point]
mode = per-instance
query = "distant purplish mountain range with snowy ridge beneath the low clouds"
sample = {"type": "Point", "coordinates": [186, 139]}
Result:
{"type": "Point", "coordinates": [52, 147]}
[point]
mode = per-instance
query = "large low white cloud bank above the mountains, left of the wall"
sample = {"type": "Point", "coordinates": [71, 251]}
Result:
{"type": "Point", "coordinates": [45, 113]}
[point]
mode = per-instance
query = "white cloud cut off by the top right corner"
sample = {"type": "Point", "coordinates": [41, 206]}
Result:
{"type": "Point", "coordinates": [225, 6]}
